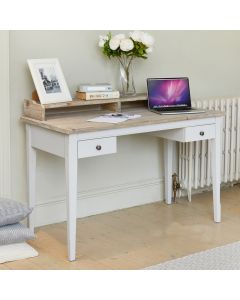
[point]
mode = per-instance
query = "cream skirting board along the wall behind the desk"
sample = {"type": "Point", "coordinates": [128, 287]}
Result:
{"type": "Point", "coordinates": [102, 200]}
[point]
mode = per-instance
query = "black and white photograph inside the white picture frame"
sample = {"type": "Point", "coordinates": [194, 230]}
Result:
{"type": "Point", "coordinates": [49, 79]}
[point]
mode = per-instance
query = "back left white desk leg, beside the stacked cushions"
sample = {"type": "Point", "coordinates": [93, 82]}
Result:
{"type": "Point", "coordinates": [31, 176]}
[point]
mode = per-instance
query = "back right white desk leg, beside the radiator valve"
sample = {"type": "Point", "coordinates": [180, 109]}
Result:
{"type": "Point", "coordinates": [168, 157]}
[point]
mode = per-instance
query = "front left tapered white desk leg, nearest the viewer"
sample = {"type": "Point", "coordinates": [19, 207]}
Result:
{"type": "Point", "coordinates": [71, 184]}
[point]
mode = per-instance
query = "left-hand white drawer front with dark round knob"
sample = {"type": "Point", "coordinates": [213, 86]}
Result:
{"type": "Point", "coordinates": [97, 147]}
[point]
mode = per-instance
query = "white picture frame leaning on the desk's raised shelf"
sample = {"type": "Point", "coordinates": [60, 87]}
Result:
{"type": "Point", "coordinates": [49, 80]}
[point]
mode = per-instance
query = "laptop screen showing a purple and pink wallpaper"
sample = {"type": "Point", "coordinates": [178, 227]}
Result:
{"type": "Point", "coordinates": [168, 93]}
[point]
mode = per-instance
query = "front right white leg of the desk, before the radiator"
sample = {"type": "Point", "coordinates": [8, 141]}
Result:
{"type": "Point", "coordinates": [216, 171]}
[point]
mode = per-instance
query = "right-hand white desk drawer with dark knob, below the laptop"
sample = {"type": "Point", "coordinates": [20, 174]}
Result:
{"type": "Point", "coordinates": [189, 134]}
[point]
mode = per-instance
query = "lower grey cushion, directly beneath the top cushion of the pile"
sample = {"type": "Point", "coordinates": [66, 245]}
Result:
{"type": "Point", "coordinates": [15, 233]}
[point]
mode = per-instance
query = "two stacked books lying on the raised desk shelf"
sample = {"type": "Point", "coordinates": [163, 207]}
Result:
{"type": "Point", "coordinates": [101, 91]}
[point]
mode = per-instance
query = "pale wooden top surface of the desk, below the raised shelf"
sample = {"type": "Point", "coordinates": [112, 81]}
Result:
{"type": "Point", "coordinates": [77, 122]}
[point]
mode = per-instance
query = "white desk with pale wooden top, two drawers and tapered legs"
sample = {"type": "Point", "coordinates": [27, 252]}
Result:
{"type": "Point", "coordinates": [72, 137]}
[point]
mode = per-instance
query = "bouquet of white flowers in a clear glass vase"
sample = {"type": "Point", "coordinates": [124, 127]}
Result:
{"type": "Point", "coordinates": [125, 49]}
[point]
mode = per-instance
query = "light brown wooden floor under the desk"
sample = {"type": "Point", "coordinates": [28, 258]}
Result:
{"type": "Point", "coordinates": [138, 237]}
